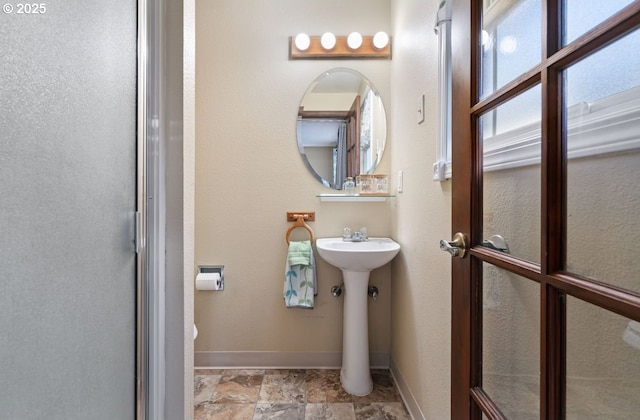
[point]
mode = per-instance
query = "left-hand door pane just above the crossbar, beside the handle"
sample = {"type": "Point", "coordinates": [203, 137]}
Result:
{"type": "Point", "coordinates": [511, 179]}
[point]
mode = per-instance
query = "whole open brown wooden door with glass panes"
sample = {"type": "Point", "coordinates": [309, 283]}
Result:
{"type": "Point", "coordinates": [546, 191]}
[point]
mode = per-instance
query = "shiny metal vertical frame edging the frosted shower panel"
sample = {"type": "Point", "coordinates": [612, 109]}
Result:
{"type": "Point", "coordinates": [150, 211]}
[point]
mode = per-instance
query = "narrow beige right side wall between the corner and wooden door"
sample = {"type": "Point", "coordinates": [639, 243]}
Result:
{"type": "Point", "coordinates": [421, 298]}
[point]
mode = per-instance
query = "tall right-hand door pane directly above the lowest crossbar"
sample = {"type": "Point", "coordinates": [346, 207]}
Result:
{"type": "Point", "coordinates": [603, 192]}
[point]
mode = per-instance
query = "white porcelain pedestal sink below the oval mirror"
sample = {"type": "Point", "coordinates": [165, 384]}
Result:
{"type": "Point", "coordinates": [356, 260]}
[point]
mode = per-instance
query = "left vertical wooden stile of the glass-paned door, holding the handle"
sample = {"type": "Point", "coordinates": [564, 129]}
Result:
{"type": "Point", "coordinates": [463, 370]}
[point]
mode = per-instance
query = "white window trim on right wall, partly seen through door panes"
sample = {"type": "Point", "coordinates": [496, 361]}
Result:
{"type": "Point", "coordinates": [606, 126]}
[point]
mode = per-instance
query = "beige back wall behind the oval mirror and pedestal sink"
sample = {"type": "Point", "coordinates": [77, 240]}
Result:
{"type": "Point", "coordinates": [249, 174]}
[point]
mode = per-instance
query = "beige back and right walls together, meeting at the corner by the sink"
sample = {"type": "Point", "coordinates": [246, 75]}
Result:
{"type": "Point", "coordinates": [249, 174]}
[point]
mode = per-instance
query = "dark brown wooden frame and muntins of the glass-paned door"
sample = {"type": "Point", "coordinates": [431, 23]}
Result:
{"type": "Point", "coordinates": [468, 399]}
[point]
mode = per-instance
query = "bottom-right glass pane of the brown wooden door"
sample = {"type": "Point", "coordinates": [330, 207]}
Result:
{"type": "Point", "coordinates": [603, 364]}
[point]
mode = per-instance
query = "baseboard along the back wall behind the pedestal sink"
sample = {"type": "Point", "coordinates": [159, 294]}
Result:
{"type": "Point", "coordinates": [280, 360]}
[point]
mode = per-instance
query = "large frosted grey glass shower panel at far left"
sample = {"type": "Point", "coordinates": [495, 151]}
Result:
{"type": "Point", "coordinates": [68, 195]}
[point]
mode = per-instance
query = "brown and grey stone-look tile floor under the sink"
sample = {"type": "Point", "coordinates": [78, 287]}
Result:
{"type": "Point", "coordinates": [291, 394]}
